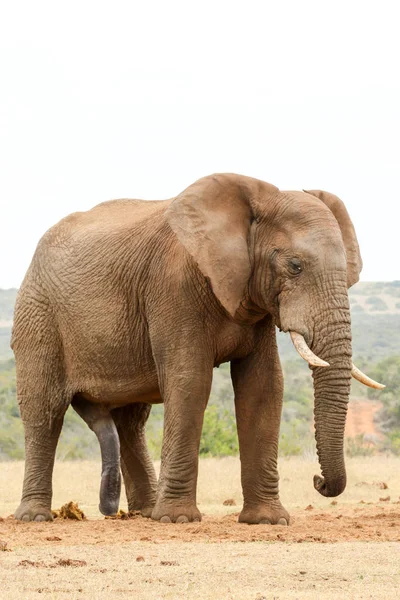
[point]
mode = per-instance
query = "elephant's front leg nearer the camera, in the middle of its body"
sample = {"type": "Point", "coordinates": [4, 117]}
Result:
{"type": "Point", "coordinates": [185, 397]}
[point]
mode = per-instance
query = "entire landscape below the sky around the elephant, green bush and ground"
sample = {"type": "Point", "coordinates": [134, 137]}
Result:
{"type": "Point", "coordinates": [346, 547]}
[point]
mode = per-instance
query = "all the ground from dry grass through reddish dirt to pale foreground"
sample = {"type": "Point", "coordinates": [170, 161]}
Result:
{"type": "Point", "coordinates": [345, 550]}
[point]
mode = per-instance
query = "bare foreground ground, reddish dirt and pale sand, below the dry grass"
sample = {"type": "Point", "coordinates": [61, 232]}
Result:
{"type": "Point", "coordinates": [340, 552]}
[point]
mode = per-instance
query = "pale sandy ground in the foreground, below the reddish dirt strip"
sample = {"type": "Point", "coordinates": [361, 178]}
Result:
{"type": "Point", "coordinates": [203, 571]}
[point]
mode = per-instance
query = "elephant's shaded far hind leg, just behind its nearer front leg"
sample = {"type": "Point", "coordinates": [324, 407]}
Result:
{"type": "Point", "coordinates": [137, 467]}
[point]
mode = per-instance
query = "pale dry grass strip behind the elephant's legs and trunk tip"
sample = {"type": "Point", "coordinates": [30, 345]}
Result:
{"type": "Point", "coordinates": [219, 480]}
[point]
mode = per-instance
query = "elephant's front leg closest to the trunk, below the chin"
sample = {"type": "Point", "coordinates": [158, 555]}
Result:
{"type": "Point", "coordinates": [258, 386]}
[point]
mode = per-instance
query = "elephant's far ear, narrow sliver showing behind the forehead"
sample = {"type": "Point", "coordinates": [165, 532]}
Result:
{"type": "Point", "coordinates": [354, 262]}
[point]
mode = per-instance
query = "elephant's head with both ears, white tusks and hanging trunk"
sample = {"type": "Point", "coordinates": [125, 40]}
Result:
{"type": "Point", "coordinates": [292, 255]}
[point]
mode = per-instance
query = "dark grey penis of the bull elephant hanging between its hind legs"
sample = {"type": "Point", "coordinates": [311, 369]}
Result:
{"type": "Point", "coordinates": [99, 419]}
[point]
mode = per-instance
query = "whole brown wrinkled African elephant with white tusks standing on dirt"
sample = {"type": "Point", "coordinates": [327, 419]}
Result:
{"type": "Point", "coordinates": [134, 302]}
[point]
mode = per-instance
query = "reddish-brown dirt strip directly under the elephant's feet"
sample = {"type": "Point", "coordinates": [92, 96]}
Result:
{"type": "Point", "coordinates": [360, 523]}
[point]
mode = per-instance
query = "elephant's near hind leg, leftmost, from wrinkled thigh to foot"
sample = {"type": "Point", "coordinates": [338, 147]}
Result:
{"type": "Point", "coordinates": [43, 397]}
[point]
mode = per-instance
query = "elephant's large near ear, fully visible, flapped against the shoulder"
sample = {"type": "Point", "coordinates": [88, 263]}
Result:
{"type": "Point", "coordinates": [211, 218]}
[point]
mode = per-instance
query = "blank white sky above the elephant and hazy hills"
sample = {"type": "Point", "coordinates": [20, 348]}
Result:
{"type": "Point", "coordinates": [102, 100]}
